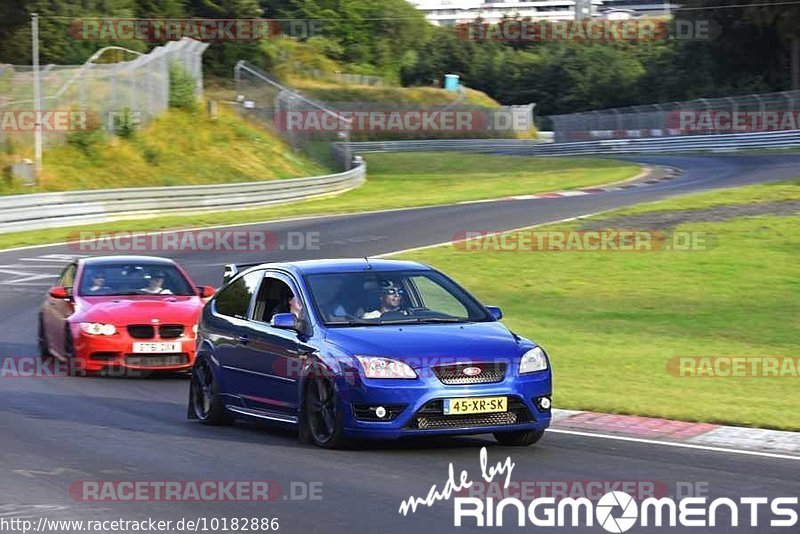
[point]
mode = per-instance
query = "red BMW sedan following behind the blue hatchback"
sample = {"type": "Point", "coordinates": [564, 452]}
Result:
{"type": "Point", "coordinates": [122, 312]}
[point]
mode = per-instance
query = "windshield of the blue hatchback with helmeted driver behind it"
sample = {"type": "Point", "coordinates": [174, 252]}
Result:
{"type": "Point", "coordinates": [396, 297]}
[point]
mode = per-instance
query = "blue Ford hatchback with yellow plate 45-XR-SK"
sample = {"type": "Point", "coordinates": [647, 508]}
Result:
{"type": "Point", "coordinates": [365, 349]}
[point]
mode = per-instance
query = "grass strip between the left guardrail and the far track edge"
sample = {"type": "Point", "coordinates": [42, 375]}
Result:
{"type": "Point", "coordinates": [395, 181]}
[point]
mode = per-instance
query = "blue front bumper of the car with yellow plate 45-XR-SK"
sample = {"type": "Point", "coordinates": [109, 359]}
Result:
{"type": "Point", "coordinates": [419, 405]}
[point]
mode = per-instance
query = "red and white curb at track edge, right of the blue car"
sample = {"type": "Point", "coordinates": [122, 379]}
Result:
{"type": "Point", "coordinates": [775, 443]}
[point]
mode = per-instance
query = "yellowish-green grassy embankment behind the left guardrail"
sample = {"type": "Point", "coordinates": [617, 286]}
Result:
{"type": "Point", "coordinates": [178, 148]}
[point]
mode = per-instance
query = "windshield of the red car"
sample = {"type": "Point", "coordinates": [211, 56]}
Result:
{"type": "Point", "coordinates": [139, 278]}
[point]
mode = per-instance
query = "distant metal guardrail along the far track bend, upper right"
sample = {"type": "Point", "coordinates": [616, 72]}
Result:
{"type": "Point", "coordinates": [600, 147]}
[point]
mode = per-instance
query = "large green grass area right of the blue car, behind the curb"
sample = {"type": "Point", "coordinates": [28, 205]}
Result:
{"type": "Point", "coordinates": [612, 320]}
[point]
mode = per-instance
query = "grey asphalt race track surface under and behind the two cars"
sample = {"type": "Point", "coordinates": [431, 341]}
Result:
{"type": "Point", "coordinates": [56, 431]}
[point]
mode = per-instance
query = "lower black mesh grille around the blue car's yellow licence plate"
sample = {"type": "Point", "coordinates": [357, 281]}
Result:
{"type": "Point", "coordinates": [430, 417]}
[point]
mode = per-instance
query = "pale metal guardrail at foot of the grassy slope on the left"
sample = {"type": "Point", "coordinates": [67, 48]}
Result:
{"type": "Point", "coordinates": [54, 210]}
